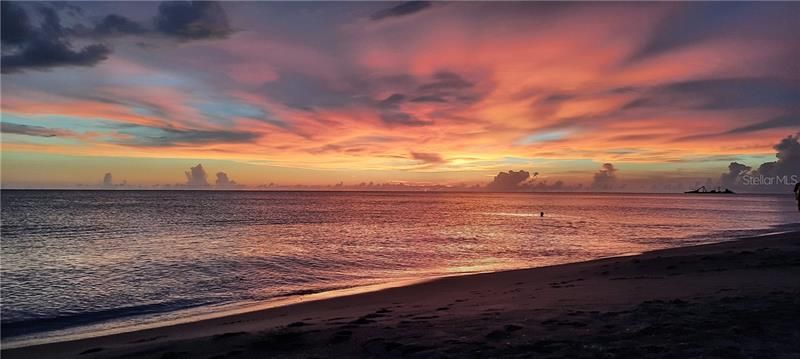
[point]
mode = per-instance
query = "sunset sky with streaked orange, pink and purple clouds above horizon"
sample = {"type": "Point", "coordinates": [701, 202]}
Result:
{"type": "Point", "coordinates": [387, 92]}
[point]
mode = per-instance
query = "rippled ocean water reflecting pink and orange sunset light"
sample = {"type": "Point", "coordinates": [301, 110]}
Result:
{"type": "Point", "coordinates": [76, 263]}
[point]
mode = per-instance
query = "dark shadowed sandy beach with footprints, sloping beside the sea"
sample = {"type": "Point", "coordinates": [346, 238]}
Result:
{"type": "Point", "coordinates": [731, 299]}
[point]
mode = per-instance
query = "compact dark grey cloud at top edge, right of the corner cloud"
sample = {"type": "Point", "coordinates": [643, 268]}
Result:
{"type": "Point", "coordinates": [192, 20]}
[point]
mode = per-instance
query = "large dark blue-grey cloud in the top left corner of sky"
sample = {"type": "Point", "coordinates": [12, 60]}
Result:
{"type": "Point", "coordinates": [26, 47]}
